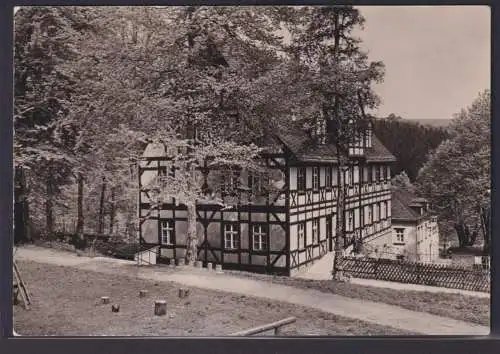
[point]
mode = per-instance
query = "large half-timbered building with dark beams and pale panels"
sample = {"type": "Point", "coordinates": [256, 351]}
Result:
{"type": "Point", "coordinates": [282, 220]}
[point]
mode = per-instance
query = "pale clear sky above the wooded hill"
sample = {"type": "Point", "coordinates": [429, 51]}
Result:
{"type": "Point", "coordinates": [437, 58]}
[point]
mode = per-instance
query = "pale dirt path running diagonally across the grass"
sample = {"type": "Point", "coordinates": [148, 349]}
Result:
{"type": "Point", "coordinates": [382, 314]}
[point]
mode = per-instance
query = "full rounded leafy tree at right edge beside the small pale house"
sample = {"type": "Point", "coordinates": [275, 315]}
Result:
{"type": "Point", "coordinates": [457, 176]}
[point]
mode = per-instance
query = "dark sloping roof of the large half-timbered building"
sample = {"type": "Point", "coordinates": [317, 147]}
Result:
{"type": "Point", "coordinates": [305, 149]}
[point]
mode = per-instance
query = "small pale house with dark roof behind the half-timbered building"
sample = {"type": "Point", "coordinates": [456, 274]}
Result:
{"type": "Point", "coordinates": [415, 233]}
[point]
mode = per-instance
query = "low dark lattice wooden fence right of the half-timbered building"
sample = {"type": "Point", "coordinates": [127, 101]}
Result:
{"type": "Point", "coordinates": [418, 273]}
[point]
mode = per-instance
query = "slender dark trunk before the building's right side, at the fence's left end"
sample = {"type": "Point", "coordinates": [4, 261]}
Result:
{"type": "Point", "coordinates": [340, 223]}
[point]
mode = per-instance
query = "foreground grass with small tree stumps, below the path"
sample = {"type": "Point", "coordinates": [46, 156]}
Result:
{"type": "Point", "coordinates": [66, 303]}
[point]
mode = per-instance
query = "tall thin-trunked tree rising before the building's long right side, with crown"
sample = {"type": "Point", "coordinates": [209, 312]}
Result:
{"type": "Point", "coordinates": [340, 86]}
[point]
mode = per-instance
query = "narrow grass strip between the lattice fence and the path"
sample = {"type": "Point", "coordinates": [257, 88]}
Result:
{"type": "Point", "coordinates": [457, 306]}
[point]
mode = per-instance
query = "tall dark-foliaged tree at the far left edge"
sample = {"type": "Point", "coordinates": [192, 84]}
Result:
{"type": "Point", "coordinates": [44, 39]}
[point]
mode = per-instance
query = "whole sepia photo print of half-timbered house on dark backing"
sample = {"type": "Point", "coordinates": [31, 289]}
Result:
{"type": "Point", "coordinates": [248, 171]}
